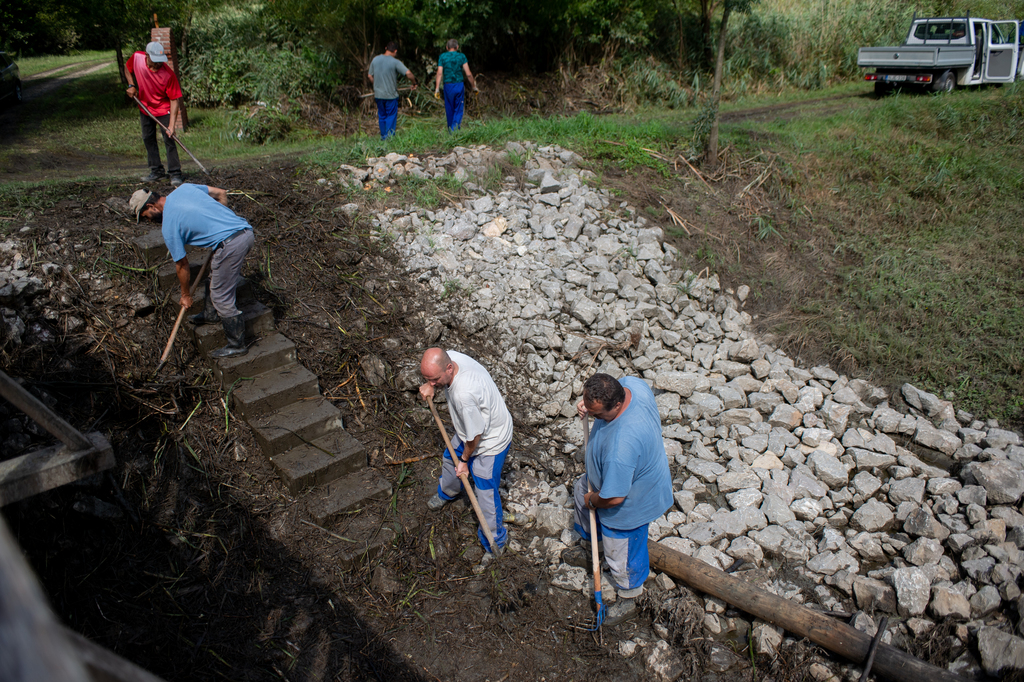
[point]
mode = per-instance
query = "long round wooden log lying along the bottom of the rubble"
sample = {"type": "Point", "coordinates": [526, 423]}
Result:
{"type": "Point", "coordinates": [824, 631]}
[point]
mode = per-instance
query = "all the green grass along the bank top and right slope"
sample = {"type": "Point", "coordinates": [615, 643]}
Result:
{"type": "Point", "coordinates": [893, 248]}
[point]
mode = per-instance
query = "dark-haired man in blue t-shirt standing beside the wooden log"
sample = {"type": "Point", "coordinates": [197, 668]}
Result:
{"type": "Point", "coordinates": [629, 472]}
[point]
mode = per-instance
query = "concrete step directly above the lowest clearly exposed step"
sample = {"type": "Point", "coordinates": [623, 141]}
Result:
{"type": "Point", "coordinates": [320, 461]}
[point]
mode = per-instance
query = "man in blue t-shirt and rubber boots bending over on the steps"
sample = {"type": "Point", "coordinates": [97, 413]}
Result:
{"type": "Point", "coordinates": [198, 216]}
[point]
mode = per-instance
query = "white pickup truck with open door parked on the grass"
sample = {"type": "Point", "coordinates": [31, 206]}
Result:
{"type": "Point", "coordinates": [944, 54]}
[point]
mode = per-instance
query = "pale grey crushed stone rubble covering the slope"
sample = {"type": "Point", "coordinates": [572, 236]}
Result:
{"type": "Point", "coordinates": [848, 497]}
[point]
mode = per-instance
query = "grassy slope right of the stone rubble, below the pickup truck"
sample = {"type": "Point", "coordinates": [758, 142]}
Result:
{"type": "Point", "coordinates": [919, 235]}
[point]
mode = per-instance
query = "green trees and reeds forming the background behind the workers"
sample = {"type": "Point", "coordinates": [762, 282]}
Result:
{"type": "Point", "coordinates": [659, 52]}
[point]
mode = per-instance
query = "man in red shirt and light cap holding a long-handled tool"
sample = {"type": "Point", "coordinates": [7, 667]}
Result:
{"type": "Point", "coordinates": [156, 87]}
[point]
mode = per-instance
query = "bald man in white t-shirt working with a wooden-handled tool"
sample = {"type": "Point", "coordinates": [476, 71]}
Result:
{"type": "Point", "coordinates": [484, 434]}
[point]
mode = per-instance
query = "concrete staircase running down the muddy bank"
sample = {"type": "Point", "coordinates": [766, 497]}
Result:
{"type": "Point", "coordinates": [300, 432]}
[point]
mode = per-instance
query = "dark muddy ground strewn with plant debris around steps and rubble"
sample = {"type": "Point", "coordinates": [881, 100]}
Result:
{"type": "Point", "coordinates": [191, 559]}
